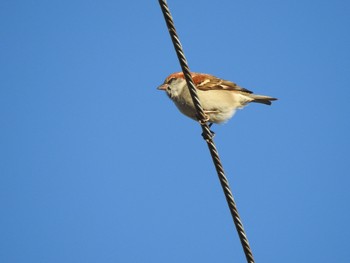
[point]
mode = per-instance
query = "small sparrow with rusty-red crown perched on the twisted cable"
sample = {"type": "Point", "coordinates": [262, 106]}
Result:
{"type": "Point", "coordinates": [219, 98]}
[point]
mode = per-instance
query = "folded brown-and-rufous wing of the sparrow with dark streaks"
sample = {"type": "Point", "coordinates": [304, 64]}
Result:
{"type": "Point", "coordinates": [207, 82]}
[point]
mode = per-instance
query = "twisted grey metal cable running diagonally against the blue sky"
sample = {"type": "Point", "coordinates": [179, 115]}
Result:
{"type": "Point", "coordinates": [207, 134]}
